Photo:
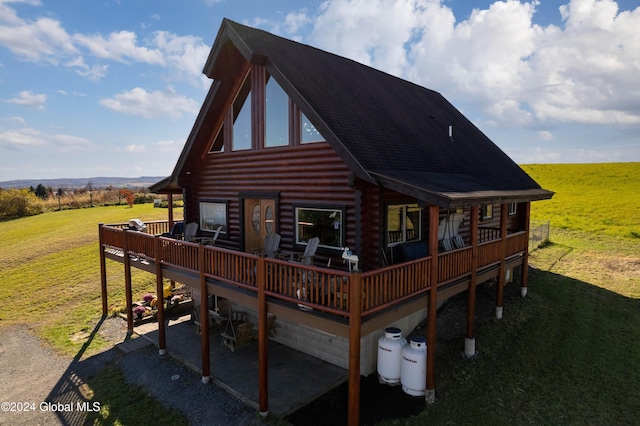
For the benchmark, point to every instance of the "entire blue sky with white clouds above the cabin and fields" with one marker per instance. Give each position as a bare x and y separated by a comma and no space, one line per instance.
112,88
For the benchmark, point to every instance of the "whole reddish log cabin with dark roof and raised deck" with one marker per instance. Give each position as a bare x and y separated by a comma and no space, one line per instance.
304,143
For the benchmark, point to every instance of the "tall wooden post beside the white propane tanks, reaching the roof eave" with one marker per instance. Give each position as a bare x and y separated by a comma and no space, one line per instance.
430,394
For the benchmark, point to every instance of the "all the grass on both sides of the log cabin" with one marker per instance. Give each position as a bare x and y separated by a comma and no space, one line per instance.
569,353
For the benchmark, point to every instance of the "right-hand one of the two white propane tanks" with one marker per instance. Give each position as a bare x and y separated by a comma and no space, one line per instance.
413,369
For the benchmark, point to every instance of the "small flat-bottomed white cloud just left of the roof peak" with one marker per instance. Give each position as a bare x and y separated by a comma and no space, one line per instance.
157,104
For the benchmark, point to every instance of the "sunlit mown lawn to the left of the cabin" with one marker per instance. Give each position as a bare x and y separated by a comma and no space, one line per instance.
50,272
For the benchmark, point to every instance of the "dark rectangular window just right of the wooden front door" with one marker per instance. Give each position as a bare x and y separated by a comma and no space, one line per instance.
324,223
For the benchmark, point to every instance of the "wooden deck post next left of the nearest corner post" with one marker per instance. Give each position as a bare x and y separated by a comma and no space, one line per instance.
263,340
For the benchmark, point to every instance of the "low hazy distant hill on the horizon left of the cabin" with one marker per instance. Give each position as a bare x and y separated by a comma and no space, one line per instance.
96,182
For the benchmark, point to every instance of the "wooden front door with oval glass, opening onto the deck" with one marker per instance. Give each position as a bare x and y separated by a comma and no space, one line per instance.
259,220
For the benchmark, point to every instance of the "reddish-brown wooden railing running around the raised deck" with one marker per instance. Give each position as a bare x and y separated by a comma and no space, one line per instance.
309,287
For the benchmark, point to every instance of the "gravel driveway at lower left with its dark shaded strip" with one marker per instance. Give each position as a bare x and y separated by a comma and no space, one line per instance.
32,378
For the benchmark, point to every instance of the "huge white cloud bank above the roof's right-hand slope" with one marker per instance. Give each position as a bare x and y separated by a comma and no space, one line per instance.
497,60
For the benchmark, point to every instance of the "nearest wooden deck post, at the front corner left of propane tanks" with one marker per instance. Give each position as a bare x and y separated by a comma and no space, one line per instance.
355,324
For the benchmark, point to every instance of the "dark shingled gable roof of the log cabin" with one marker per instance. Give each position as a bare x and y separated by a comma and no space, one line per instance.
389,131
